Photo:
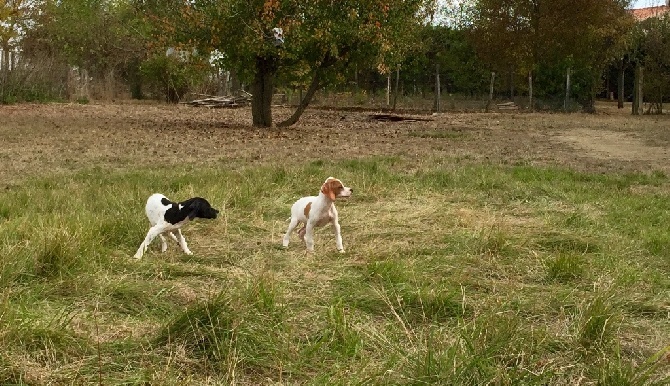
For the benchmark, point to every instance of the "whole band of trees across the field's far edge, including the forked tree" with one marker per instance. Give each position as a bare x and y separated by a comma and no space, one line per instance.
552,54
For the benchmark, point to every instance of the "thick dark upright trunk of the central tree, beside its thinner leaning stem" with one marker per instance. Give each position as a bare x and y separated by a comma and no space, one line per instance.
261,90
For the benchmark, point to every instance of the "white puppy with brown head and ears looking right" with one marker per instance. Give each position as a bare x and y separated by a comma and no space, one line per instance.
317,211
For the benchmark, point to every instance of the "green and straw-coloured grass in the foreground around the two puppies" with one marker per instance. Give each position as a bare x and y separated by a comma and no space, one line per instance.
455,273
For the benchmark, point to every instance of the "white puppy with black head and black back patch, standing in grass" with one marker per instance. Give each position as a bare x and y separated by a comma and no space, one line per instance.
167,216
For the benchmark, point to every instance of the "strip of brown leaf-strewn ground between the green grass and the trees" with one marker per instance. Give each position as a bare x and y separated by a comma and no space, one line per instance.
52,138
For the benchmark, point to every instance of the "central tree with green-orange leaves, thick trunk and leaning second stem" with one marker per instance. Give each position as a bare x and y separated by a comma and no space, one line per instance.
322,38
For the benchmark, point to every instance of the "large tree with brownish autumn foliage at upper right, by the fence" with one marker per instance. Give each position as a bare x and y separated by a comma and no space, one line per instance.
529,34
